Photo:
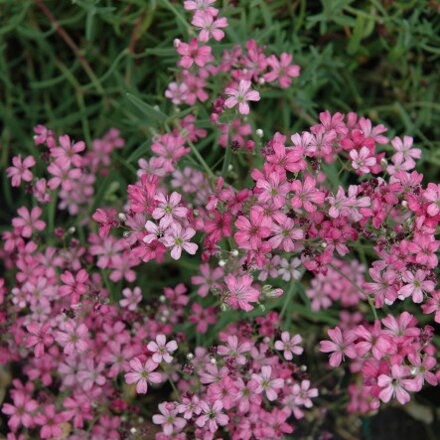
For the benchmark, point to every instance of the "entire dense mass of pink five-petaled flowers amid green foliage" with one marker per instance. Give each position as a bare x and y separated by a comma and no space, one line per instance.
89,334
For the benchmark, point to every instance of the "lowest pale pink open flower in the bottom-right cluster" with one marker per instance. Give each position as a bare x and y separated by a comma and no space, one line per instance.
397,384
